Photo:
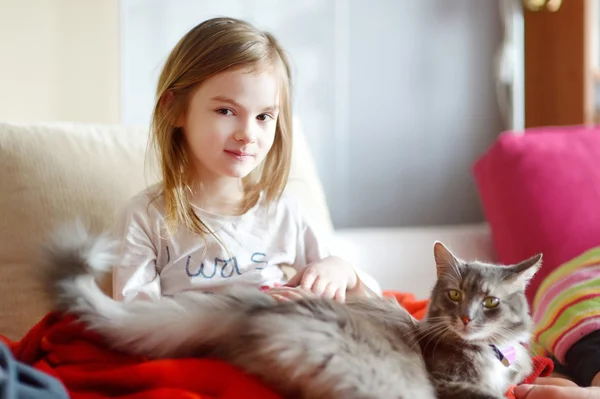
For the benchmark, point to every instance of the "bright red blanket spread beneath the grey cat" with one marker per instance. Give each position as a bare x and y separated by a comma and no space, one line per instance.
61,347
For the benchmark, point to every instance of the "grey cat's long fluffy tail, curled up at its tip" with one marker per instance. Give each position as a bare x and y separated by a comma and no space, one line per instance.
169,327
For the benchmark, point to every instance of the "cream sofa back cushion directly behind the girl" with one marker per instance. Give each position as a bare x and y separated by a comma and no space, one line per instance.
52,173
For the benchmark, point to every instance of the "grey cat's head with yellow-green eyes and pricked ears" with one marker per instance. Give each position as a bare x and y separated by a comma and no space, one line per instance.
481,302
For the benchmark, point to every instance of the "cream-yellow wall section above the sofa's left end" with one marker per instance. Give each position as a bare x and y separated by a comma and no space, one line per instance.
59,60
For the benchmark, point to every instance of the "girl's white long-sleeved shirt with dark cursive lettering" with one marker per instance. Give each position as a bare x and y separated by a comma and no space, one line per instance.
153,263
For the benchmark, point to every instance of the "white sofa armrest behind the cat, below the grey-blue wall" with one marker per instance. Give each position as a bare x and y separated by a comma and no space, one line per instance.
401,259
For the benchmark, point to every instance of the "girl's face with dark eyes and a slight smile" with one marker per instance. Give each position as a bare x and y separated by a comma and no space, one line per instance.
230,123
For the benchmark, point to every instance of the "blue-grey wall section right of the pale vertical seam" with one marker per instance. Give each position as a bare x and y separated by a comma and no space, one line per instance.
422,107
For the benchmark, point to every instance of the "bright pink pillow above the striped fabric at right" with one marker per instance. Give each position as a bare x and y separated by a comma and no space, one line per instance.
540,192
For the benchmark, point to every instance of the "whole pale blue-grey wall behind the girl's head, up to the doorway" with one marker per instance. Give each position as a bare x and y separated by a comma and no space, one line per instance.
397,97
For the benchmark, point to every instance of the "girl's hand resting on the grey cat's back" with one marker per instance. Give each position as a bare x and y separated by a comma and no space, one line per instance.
327,278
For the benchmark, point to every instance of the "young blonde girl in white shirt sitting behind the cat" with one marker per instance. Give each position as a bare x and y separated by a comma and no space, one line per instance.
222,130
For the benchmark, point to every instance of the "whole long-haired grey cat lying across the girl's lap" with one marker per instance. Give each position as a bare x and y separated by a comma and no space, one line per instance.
317,348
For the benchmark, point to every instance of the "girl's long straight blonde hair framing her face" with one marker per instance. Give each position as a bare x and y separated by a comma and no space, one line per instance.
215,46
